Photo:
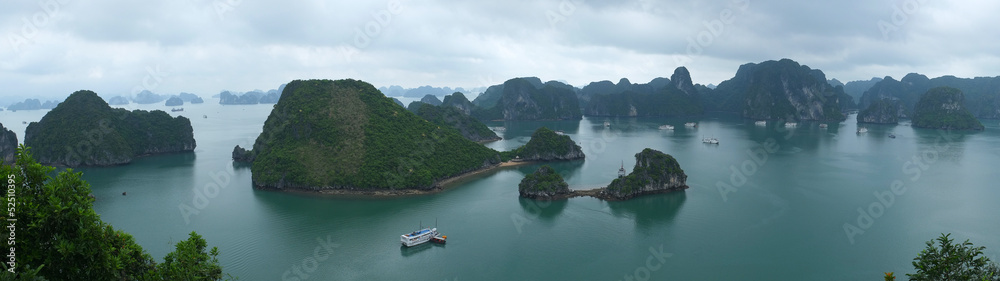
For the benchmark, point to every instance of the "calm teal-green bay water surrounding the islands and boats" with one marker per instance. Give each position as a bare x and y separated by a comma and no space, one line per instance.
781,216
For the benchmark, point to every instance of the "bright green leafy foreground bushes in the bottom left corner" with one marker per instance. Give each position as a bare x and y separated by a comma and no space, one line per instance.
61,237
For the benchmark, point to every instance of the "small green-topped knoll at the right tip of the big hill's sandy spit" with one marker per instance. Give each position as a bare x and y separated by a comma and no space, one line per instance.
545,145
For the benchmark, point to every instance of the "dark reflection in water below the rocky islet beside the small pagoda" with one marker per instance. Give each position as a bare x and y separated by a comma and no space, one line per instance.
651,210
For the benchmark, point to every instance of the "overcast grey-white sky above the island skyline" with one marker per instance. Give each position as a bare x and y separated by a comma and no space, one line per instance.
54,47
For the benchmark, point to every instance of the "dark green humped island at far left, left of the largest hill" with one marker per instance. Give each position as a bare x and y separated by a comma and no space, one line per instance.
85,131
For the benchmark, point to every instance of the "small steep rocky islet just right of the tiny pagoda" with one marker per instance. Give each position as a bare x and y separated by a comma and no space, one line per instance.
654,172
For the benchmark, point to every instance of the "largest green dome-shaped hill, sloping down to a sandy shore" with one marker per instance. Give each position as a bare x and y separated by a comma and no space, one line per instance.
345,134
